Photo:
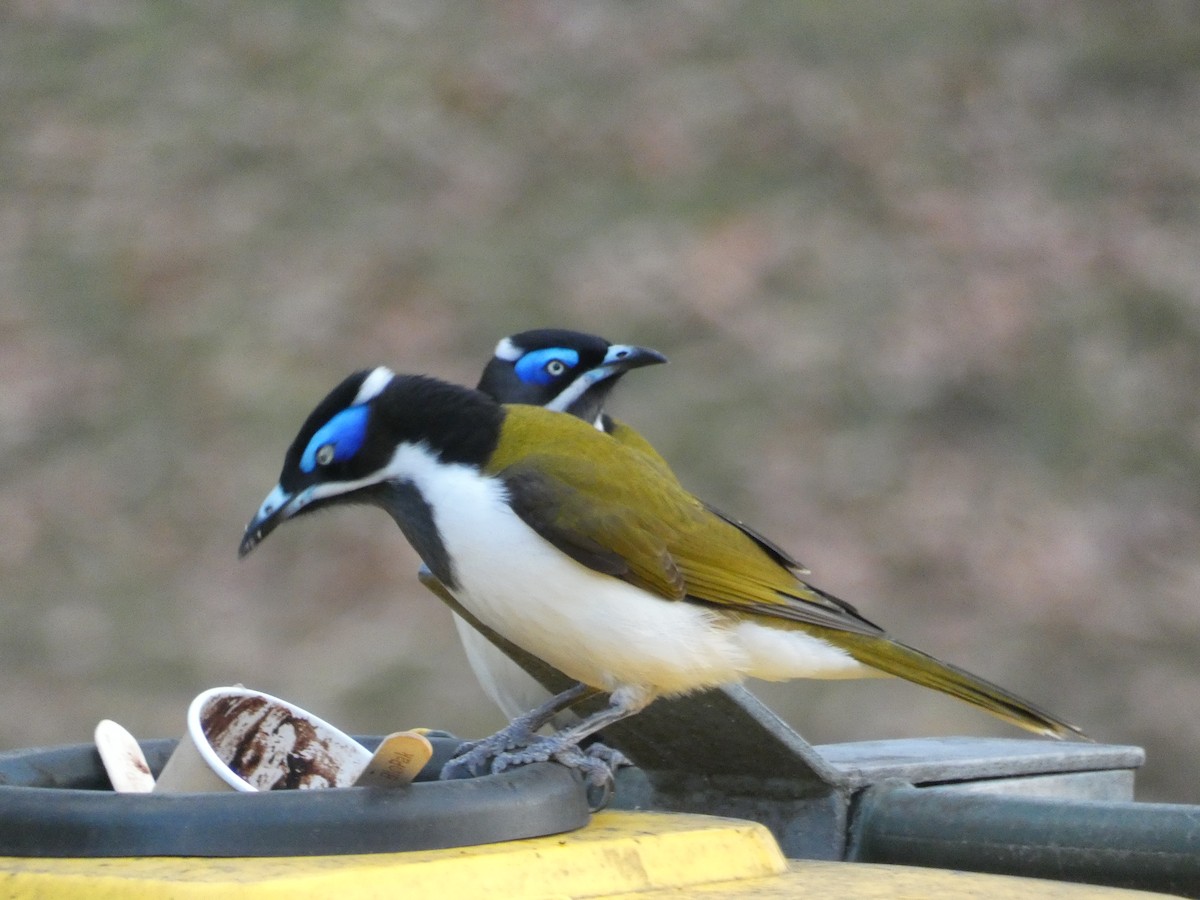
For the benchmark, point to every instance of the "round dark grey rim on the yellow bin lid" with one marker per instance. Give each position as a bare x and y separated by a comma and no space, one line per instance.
56,802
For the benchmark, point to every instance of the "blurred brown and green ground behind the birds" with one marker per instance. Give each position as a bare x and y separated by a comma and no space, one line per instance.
928,275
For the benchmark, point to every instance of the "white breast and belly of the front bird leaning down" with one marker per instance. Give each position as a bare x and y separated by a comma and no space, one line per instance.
593,628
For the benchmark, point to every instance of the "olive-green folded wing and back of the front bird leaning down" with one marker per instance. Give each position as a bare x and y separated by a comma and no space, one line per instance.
611,509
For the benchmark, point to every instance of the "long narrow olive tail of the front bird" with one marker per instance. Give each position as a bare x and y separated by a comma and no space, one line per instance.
913,665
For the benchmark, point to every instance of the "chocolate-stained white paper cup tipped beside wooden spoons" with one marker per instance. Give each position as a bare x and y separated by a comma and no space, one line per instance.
241,740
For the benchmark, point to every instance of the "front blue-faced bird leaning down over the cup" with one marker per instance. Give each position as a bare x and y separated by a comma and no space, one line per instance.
585,554
